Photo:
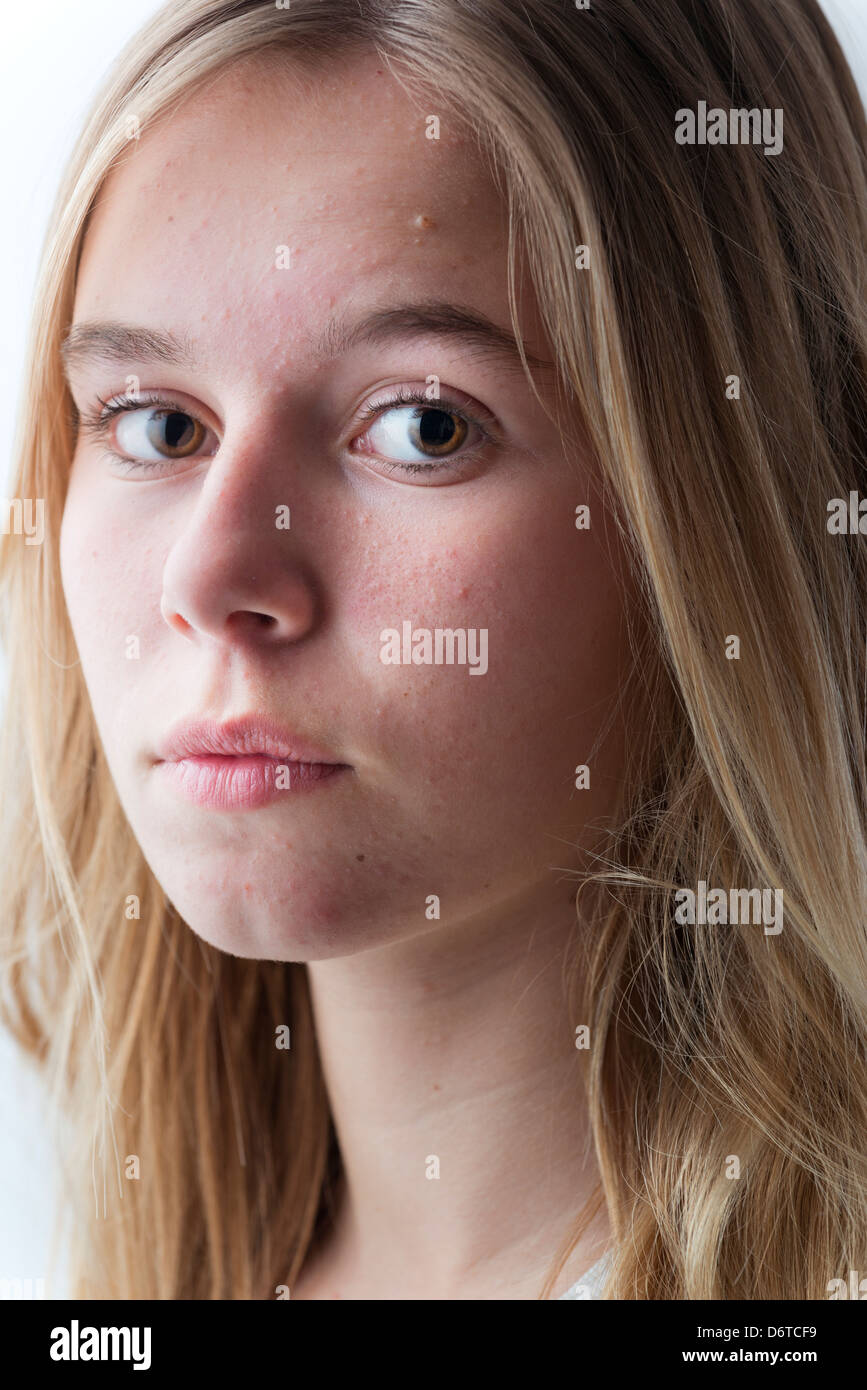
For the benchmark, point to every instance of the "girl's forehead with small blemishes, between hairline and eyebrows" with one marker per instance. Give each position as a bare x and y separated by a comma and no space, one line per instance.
277,195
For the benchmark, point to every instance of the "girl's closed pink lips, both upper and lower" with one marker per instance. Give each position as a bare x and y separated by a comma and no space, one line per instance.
241,765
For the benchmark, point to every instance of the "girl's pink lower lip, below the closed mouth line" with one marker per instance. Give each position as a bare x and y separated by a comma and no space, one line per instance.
247,782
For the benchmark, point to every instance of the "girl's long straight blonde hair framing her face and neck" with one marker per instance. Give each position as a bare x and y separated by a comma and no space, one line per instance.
707,1046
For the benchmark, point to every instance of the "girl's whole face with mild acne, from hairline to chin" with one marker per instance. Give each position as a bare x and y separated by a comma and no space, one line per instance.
273,268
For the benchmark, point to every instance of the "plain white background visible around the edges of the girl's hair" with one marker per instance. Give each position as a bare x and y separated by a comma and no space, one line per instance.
55,56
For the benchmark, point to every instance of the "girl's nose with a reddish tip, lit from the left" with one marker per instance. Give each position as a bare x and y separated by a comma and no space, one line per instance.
236,572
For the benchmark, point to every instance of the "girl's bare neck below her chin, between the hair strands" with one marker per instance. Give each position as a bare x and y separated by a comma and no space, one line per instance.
458,1099
